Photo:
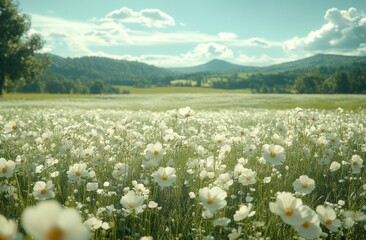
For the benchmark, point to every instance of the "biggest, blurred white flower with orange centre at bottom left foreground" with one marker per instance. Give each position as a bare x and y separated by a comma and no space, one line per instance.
48,220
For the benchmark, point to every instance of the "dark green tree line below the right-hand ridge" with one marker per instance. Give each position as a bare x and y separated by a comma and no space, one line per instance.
324,80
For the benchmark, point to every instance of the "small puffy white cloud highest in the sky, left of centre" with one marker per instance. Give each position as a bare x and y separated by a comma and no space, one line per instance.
146,17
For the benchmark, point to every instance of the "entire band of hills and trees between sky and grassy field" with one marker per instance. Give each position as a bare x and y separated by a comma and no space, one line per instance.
322,73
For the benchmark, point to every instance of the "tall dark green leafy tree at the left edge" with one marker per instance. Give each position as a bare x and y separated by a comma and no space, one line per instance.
19,62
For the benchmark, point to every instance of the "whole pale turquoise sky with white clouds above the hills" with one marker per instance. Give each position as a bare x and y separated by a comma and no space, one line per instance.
171,33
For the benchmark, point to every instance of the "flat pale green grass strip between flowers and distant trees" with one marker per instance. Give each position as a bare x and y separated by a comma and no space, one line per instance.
162,99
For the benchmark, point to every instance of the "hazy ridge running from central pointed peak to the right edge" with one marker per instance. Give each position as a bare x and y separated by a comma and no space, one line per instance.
316,61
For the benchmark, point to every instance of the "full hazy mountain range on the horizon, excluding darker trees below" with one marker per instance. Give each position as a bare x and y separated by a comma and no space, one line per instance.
122,72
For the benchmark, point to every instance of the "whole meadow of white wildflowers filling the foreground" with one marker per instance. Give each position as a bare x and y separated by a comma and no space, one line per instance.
93,173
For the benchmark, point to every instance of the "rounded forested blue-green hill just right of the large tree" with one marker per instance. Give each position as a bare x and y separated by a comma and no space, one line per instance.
110,71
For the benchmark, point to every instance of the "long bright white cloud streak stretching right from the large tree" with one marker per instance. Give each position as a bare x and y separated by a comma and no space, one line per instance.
67,36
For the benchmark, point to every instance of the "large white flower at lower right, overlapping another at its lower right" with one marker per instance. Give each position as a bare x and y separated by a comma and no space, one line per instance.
289,208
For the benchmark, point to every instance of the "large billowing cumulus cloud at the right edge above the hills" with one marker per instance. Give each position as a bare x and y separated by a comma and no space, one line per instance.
344,31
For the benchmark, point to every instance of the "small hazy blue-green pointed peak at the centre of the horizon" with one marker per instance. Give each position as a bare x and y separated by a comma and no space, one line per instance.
215,66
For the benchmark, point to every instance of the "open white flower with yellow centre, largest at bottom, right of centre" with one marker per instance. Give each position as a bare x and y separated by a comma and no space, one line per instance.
213,199
